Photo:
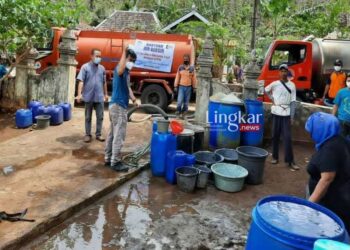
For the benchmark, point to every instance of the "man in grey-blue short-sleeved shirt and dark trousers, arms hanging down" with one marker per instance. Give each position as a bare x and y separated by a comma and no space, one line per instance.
92,89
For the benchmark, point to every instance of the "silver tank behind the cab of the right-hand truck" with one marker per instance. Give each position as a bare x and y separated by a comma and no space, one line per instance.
324,53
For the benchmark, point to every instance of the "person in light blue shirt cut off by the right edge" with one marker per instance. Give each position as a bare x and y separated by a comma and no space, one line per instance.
341,107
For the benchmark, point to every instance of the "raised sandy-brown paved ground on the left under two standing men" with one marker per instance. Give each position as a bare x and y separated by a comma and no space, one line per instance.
55,171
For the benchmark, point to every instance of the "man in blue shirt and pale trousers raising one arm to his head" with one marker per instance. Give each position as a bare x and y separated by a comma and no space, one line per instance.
118,110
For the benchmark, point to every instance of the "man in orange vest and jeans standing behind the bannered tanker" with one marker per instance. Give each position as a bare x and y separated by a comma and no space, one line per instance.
184,82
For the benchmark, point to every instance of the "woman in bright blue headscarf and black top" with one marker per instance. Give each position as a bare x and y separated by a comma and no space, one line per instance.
329,167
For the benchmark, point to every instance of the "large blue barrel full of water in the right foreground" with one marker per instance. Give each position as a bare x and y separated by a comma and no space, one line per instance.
288,223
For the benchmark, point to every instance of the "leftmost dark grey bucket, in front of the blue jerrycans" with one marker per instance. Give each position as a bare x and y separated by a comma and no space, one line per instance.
186,178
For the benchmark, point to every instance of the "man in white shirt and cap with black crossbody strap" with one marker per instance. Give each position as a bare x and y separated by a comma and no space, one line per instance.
283,96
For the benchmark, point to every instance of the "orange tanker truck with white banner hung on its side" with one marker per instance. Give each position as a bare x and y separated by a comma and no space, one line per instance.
154,85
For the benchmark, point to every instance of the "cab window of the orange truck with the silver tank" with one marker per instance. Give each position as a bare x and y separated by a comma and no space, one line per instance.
289,54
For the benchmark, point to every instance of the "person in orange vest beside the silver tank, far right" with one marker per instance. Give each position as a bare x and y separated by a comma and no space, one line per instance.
335,83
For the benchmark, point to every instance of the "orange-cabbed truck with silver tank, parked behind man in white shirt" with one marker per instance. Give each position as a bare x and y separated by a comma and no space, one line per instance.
310,62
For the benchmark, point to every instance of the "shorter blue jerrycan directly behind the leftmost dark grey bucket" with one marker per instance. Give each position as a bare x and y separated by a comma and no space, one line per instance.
174,160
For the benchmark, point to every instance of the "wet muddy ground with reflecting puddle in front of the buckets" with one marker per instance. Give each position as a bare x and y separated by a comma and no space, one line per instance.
148,213
